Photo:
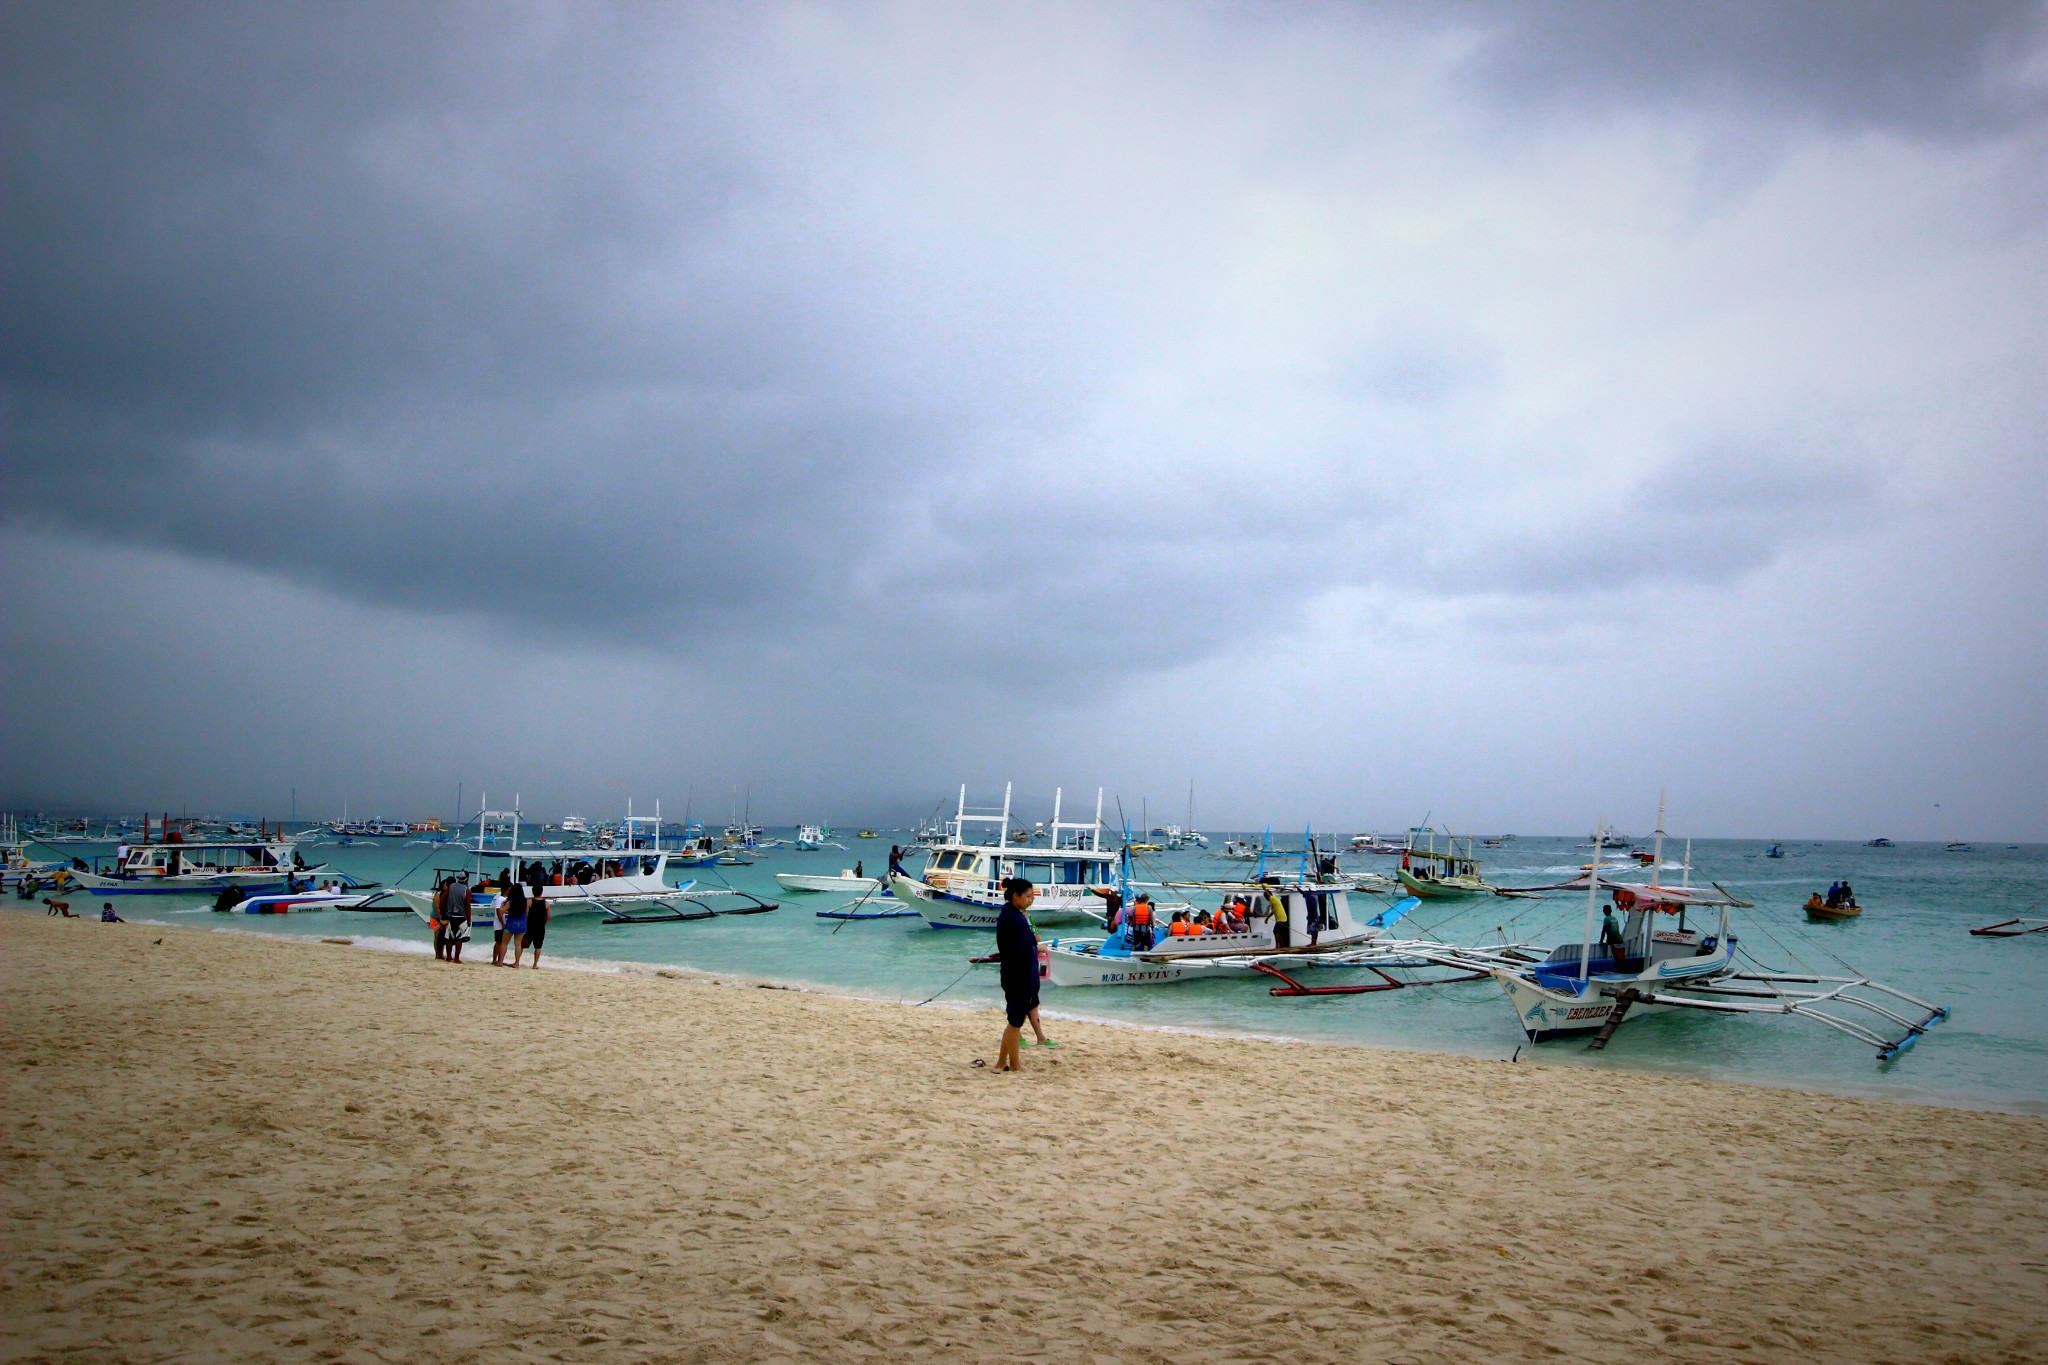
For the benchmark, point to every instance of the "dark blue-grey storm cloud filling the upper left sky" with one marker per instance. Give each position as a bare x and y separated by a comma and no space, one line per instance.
361,296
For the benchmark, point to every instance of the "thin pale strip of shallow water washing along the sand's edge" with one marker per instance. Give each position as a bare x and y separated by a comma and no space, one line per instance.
628,967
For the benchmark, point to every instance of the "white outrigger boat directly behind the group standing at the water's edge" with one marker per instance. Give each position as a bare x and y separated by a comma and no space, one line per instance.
620,883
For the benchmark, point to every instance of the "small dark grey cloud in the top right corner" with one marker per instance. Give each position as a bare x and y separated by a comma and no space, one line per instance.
1906,67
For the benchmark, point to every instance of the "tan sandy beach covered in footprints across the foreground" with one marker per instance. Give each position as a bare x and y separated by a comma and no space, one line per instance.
222,1147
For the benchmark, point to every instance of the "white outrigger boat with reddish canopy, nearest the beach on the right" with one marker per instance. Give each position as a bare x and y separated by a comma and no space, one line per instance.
1652,965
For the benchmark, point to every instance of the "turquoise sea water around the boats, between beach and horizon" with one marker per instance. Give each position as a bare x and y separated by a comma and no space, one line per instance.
1920,904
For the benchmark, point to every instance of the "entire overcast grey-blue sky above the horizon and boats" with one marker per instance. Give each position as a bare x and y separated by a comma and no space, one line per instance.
1494,412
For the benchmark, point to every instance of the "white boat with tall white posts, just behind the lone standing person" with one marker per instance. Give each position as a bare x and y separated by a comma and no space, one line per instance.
962,879
